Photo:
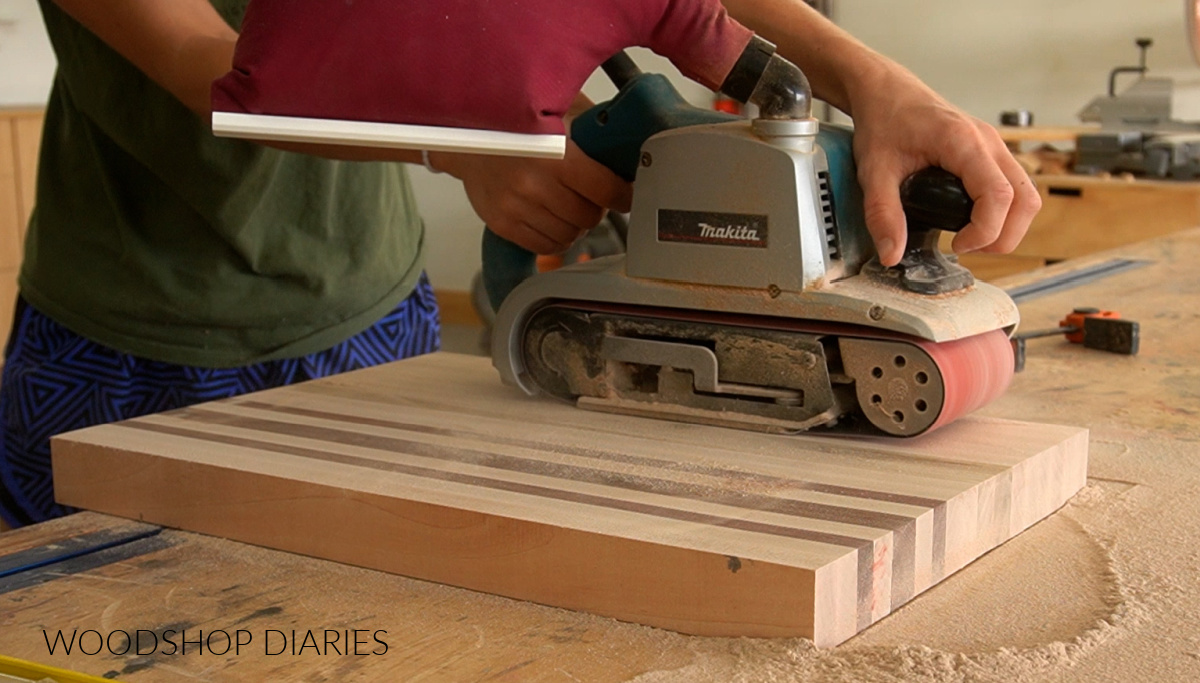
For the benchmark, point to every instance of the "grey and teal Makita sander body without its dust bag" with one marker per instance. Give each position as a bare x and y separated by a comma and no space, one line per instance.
752,295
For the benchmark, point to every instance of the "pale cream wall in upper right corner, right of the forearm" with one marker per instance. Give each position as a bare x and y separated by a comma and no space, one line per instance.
1051,58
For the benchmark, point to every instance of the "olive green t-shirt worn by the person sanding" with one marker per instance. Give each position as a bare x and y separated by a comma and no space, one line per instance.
155,238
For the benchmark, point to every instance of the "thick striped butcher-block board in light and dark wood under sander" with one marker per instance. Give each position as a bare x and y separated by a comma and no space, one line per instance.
431,469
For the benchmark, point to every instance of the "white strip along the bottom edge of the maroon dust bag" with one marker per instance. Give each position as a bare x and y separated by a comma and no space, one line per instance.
395,136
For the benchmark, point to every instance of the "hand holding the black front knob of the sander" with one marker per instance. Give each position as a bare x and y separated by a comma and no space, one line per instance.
902,127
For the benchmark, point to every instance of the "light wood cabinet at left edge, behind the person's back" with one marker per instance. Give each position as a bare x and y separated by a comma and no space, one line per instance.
21,134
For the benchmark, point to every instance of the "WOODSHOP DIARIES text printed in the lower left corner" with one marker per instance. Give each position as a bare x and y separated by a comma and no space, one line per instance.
218,642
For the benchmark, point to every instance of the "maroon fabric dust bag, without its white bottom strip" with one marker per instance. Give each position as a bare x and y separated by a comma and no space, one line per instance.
506,65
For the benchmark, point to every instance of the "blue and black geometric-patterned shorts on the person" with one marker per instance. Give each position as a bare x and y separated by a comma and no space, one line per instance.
55,381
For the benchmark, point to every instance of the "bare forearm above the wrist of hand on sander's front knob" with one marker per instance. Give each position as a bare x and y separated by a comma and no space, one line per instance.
835,62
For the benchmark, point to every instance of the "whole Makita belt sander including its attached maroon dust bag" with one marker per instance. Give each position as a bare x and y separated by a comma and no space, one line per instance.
751,295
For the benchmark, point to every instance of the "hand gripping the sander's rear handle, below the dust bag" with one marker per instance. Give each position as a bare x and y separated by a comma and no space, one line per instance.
541,205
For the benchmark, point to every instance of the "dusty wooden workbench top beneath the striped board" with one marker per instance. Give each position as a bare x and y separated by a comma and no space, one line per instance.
1125,549
